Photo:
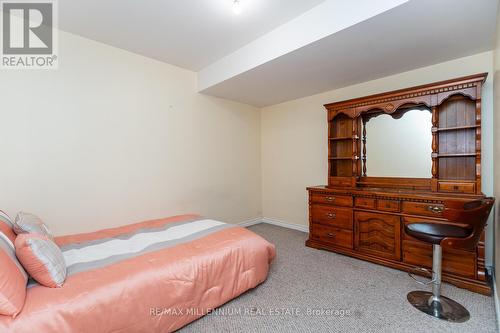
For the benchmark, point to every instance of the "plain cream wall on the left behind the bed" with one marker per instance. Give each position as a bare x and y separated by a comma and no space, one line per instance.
112,138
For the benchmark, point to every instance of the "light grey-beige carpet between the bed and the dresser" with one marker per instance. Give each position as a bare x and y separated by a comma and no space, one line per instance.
304,279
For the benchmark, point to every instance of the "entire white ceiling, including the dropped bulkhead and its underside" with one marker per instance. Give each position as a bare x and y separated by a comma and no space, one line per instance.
279,50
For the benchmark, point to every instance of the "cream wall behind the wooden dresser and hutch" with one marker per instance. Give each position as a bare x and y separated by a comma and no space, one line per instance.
294,137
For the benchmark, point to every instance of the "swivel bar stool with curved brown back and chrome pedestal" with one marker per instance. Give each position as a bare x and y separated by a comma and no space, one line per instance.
468,220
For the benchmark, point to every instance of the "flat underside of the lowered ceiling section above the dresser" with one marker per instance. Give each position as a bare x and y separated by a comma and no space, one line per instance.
406,37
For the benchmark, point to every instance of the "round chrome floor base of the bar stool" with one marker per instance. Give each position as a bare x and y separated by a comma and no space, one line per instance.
445,308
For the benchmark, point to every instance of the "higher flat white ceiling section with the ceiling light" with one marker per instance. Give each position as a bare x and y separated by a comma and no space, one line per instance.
187,33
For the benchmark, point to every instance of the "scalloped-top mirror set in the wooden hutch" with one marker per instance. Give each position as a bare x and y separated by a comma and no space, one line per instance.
398,145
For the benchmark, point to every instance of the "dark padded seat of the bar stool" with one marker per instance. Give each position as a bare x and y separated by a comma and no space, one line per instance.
434,233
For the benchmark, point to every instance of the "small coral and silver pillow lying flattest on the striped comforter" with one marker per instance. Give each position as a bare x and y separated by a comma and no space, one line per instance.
42,259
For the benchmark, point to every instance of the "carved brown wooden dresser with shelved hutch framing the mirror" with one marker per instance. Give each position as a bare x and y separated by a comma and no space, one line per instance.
364,217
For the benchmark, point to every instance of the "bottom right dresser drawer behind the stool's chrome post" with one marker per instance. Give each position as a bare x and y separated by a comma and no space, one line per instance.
454,261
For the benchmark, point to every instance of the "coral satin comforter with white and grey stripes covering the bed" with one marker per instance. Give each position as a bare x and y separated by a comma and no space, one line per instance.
154,276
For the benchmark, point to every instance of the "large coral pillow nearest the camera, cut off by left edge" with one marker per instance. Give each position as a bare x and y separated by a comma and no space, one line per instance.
13,279
